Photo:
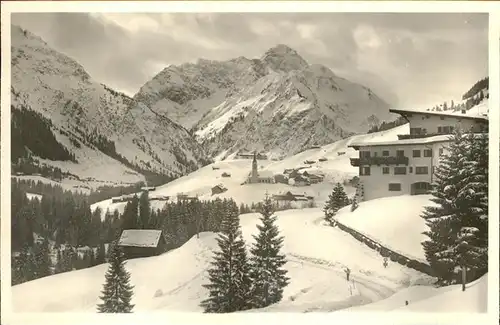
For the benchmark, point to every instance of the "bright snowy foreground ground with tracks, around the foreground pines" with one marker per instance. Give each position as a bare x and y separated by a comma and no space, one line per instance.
317,256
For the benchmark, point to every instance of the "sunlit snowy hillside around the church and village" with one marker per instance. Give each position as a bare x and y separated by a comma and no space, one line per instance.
337,168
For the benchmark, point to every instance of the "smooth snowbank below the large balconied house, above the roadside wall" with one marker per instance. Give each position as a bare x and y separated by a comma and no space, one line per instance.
394,222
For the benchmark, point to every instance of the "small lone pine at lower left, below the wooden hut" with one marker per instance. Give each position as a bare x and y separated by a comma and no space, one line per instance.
117,291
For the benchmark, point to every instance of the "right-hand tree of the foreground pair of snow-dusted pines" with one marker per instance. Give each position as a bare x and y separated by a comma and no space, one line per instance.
268,277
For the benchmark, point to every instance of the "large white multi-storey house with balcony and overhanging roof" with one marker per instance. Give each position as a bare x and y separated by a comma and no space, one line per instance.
407,165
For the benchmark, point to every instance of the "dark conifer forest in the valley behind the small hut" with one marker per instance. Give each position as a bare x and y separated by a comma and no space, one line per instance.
60,233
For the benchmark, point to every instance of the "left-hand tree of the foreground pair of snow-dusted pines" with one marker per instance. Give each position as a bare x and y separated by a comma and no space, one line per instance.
230,284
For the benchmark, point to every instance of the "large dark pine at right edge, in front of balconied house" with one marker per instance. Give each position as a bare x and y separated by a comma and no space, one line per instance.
458,225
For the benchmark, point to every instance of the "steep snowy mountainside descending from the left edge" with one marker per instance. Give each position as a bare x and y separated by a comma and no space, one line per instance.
83,112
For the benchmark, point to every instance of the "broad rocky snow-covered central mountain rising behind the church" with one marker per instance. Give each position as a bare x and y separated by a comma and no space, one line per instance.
278,104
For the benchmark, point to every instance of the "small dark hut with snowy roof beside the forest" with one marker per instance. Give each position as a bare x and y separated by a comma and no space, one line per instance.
142,243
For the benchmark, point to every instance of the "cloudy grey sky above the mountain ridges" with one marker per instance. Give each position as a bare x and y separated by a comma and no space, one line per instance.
411,60
